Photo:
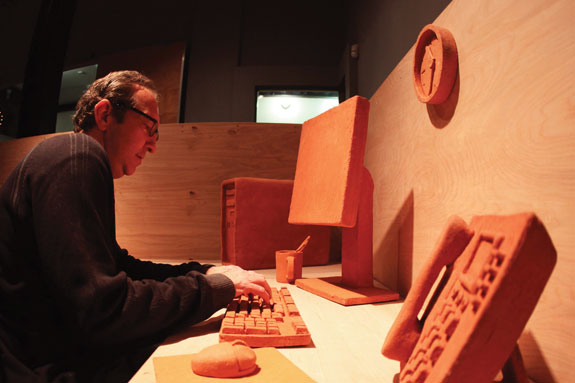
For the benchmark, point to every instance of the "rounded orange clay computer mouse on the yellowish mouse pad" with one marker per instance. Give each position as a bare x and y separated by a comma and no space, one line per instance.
225,360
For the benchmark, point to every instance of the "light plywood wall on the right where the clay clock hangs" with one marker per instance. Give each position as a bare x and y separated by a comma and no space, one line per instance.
506,145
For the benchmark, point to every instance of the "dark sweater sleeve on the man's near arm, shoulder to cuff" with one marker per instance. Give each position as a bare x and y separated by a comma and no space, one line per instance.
73,203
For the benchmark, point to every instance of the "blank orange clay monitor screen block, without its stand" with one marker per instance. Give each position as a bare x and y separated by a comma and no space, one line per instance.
328,171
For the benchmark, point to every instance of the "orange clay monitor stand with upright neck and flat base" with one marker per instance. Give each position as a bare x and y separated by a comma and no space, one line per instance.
355,285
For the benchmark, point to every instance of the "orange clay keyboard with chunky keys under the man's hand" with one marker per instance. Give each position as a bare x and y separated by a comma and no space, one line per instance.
263,325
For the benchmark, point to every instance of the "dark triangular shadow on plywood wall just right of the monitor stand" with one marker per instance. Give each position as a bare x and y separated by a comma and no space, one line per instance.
393,258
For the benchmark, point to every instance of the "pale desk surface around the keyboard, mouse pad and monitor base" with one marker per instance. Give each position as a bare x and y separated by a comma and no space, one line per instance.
346,341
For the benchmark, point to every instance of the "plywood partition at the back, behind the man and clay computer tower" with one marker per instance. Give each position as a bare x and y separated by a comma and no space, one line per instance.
170,208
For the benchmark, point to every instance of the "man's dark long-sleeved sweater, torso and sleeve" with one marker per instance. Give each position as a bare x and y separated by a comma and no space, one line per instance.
70,297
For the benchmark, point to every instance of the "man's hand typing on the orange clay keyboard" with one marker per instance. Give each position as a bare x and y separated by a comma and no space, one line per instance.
245,282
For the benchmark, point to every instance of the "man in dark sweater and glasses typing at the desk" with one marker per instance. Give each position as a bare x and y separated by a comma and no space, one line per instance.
74,306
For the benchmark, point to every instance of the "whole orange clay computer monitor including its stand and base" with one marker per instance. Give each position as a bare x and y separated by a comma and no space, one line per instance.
333,188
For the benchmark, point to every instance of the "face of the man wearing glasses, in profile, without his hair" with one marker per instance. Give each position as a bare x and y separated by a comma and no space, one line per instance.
128,142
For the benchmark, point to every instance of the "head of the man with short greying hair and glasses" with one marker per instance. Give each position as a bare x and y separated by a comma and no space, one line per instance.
120,111
